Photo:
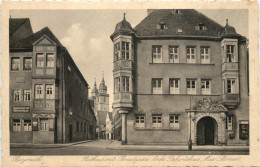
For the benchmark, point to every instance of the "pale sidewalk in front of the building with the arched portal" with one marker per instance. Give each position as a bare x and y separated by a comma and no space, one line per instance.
116,145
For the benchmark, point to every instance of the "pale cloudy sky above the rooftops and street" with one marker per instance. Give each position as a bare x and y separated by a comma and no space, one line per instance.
86,34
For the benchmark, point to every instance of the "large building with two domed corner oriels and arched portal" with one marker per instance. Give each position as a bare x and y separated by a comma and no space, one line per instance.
180,76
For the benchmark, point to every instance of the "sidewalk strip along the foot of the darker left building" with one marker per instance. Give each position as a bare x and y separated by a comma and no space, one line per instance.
30,145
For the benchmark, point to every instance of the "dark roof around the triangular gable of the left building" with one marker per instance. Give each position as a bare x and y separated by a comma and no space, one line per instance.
28,42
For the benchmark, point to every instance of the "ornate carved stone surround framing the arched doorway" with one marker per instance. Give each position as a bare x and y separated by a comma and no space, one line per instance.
209,108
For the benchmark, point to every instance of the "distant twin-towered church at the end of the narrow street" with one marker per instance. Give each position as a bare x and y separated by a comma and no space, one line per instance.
101,107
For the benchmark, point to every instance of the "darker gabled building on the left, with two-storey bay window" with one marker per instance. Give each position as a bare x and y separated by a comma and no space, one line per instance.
48,94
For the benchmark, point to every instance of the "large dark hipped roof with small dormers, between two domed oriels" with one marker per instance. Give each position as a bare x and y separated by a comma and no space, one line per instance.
186,20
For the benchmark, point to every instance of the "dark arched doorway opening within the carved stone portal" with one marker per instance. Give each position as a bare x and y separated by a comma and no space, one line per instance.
207,131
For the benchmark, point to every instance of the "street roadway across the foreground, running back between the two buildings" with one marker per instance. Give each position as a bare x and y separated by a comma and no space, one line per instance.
100,148
